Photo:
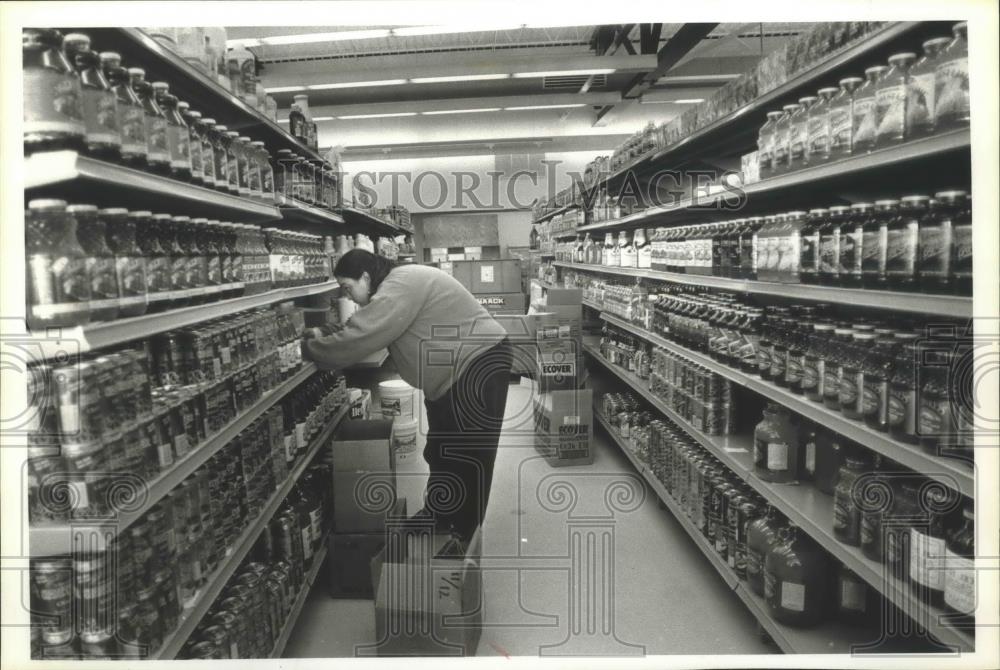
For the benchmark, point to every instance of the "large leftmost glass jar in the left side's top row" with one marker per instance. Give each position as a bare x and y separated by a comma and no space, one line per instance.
53,105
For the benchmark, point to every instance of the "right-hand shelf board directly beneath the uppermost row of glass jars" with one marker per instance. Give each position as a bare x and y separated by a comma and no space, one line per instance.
782,186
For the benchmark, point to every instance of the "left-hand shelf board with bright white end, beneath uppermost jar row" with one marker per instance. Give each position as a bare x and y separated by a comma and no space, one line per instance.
116,185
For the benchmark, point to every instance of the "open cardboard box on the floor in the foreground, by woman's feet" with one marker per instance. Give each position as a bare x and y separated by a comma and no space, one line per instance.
430,604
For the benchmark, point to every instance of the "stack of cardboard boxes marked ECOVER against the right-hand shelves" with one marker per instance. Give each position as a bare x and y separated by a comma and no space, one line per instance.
563,409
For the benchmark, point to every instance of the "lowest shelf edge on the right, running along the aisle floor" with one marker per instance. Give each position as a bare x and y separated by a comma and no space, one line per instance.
831,637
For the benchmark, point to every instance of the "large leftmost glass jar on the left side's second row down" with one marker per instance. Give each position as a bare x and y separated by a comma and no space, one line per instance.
58,285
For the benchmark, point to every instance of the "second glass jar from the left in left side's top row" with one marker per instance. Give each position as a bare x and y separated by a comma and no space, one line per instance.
102,138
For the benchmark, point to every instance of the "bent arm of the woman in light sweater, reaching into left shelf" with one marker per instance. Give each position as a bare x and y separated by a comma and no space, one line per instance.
373,327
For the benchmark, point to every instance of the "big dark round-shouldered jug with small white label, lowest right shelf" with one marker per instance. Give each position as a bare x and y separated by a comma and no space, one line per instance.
796,579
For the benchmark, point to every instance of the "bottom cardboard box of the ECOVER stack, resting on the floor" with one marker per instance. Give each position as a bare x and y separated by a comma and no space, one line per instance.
564,423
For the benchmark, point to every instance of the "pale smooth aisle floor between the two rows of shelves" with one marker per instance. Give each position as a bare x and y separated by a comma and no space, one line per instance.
666,598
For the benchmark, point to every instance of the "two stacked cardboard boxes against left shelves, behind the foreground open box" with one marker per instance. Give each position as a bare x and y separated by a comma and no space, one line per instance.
364,497
